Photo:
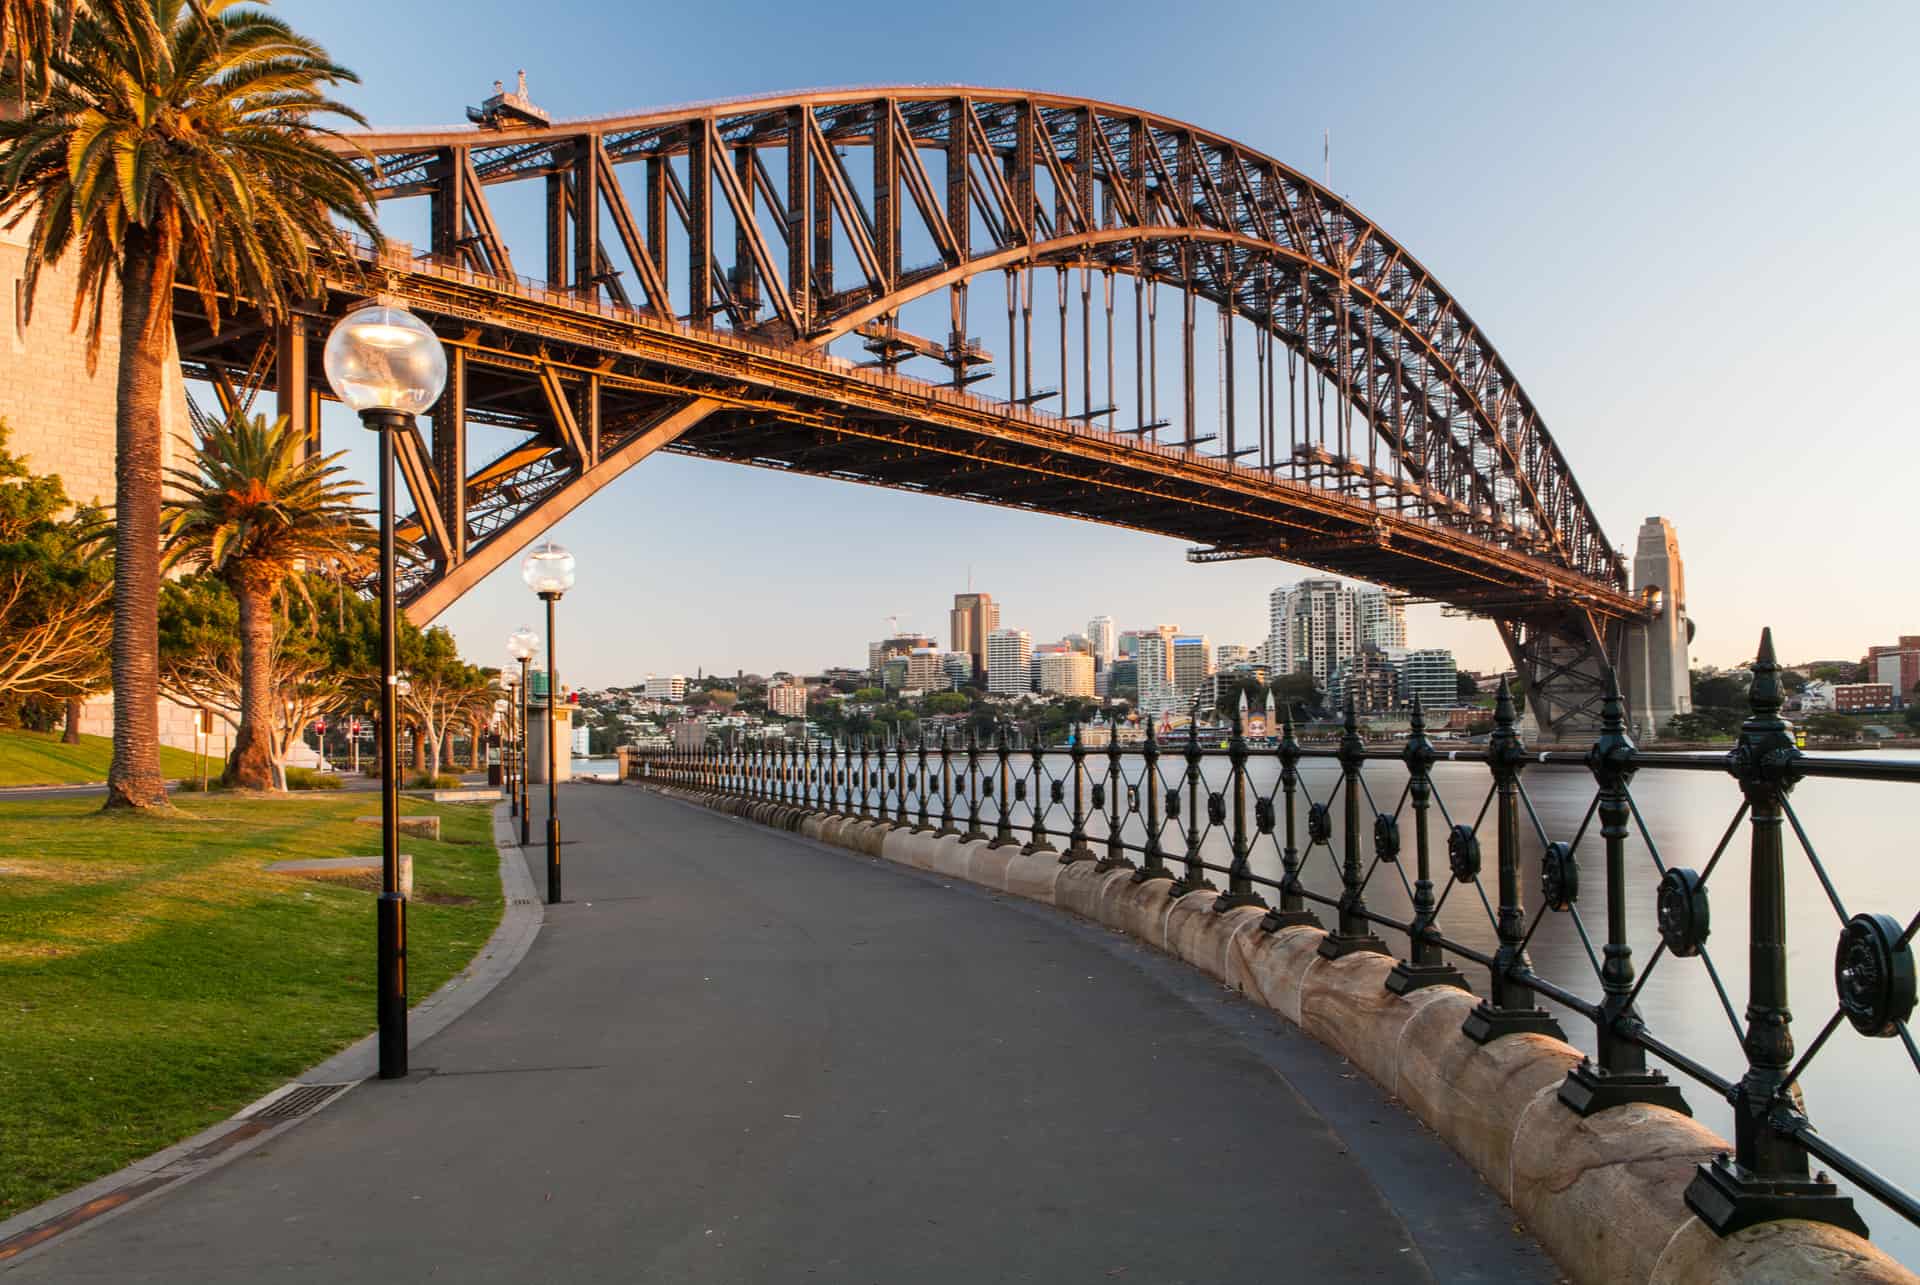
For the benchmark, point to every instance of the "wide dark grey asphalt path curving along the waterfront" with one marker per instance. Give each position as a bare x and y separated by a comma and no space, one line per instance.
736,1055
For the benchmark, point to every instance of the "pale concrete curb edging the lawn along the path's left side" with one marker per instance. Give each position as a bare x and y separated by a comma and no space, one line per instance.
107,1198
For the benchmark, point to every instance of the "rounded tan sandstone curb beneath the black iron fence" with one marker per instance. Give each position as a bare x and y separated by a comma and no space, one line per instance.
1604,1194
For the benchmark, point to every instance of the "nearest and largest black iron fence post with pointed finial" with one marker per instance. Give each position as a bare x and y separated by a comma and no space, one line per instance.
1767,1175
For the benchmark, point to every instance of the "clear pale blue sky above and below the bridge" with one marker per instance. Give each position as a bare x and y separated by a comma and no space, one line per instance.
1689,230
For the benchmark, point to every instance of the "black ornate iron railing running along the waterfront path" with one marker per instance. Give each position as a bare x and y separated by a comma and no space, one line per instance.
1255,827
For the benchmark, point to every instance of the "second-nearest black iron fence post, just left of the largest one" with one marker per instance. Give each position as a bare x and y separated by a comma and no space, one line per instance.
1621,1073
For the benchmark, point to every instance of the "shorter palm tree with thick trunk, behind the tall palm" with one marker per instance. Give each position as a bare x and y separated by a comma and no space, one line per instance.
256,512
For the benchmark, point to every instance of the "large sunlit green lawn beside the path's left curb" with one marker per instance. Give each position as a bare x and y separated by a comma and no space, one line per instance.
155,977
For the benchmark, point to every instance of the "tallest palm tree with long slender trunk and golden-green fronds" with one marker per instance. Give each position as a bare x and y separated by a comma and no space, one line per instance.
176,141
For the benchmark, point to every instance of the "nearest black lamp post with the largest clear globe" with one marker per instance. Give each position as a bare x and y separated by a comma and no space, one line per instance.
389,366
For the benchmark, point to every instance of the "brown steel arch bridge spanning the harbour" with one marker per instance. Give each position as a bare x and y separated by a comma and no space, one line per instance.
700,262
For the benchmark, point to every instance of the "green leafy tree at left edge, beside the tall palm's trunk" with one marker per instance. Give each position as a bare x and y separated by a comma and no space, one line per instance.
55,591
